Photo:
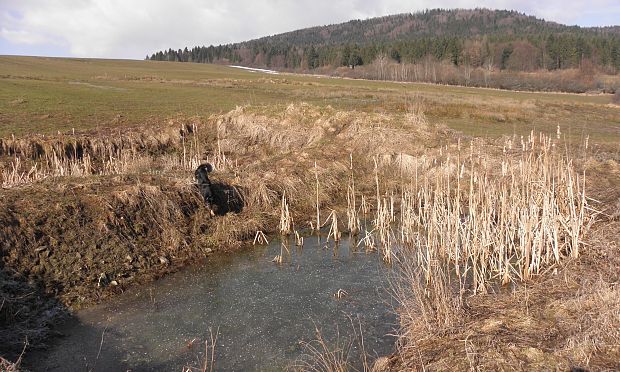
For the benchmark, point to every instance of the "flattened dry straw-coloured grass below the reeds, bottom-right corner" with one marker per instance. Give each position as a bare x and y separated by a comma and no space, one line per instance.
567,319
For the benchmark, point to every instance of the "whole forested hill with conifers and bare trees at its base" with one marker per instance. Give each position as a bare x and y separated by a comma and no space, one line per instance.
451,46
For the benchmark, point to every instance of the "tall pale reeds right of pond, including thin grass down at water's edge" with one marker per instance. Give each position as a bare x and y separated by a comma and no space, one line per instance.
473,222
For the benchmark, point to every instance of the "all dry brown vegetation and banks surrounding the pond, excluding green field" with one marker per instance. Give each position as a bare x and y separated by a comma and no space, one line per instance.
476,227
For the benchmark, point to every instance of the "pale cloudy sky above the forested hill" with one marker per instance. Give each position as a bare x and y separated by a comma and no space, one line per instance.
134,28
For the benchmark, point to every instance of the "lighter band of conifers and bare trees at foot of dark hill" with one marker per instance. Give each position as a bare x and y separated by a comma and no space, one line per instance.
518,54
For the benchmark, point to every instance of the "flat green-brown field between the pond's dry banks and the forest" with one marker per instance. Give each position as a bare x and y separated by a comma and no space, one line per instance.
45,95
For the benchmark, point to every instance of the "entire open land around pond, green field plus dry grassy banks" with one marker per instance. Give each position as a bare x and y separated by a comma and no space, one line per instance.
498,210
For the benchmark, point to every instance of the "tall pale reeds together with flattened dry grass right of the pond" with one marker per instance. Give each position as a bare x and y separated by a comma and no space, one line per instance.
459,245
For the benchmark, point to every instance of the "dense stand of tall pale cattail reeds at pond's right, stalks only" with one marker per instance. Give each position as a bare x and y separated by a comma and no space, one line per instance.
505,219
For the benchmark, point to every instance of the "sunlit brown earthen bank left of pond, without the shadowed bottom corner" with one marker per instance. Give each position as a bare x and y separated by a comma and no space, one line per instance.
83,240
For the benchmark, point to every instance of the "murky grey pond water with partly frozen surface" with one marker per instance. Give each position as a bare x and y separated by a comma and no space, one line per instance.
259,310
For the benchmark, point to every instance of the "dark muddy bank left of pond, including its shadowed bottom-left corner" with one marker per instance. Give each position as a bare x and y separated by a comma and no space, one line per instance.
65,245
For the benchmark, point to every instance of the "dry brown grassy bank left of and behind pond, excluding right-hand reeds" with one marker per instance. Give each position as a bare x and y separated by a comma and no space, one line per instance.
86,215
